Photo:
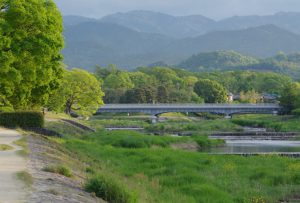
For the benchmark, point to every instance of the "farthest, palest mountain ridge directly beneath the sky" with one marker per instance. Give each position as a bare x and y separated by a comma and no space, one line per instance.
190,26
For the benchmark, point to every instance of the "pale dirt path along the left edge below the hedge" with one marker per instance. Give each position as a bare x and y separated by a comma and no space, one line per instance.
11,189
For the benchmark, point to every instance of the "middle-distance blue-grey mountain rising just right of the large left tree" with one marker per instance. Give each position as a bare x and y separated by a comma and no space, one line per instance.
91,43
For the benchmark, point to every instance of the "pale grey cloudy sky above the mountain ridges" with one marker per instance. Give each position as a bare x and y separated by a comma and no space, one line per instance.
216,9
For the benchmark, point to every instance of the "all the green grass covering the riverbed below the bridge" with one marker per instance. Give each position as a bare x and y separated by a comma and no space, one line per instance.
126,166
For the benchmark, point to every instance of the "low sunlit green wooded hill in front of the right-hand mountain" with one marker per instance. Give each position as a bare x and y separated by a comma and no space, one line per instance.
230,60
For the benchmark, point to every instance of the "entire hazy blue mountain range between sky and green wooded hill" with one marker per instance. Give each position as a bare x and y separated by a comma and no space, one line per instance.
139,38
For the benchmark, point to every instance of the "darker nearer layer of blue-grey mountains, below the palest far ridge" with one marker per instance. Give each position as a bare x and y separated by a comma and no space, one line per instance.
91,43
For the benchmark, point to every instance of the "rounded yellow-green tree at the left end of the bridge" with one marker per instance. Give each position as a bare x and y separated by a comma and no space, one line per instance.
80,92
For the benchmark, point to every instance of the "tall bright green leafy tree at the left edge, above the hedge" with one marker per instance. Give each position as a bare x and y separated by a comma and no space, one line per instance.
30,44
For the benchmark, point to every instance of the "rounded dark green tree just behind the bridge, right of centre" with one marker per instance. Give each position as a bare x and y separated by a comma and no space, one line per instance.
211,91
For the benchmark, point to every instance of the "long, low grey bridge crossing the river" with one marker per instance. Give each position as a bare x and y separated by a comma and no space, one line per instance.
226,109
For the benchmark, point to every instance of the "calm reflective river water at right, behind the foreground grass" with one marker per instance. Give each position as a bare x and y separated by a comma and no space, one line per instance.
257,146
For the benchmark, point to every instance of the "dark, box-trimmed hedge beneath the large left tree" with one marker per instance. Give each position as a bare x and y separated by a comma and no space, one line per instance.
22,119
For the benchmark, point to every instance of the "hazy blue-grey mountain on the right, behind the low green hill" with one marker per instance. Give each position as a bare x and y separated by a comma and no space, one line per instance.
262,41
